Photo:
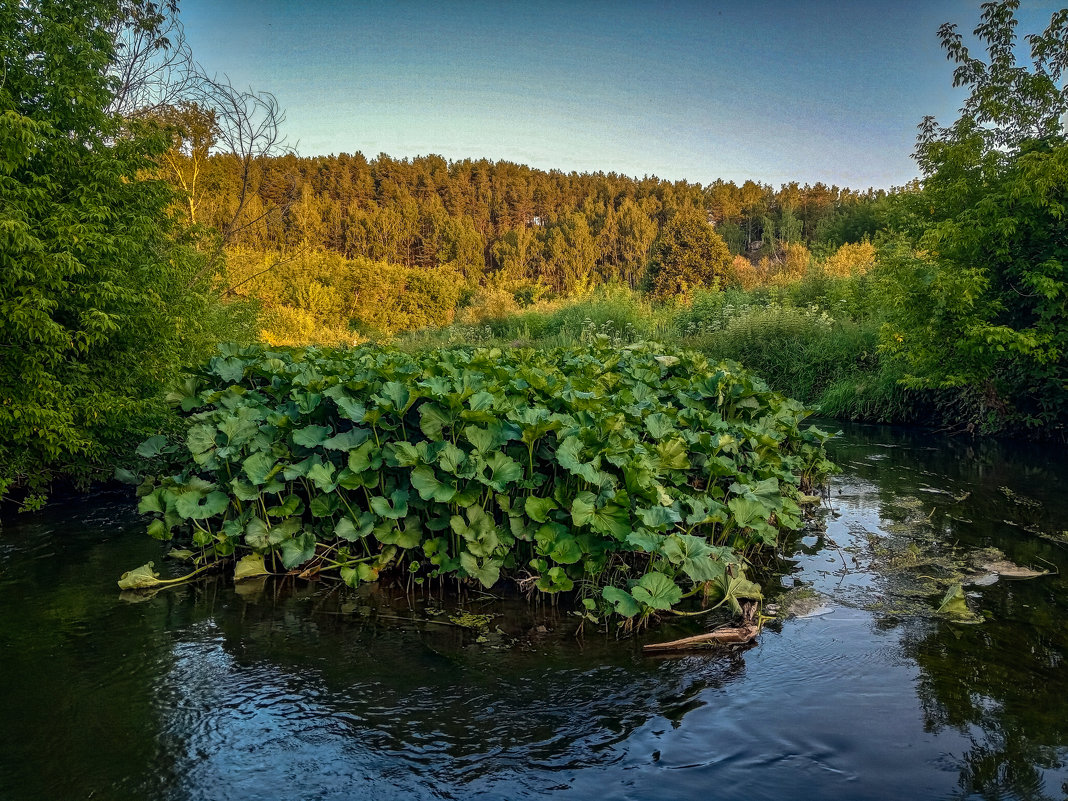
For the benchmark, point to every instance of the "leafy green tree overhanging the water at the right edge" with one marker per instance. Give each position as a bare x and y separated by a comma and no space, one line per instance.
982,280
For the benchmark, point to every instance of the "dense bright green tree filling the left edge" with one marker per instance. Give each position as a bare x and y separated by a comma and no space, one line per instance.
99,302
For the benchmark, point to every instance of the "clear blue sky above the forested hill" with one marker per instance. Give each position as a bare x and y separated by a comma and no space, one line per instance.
774,91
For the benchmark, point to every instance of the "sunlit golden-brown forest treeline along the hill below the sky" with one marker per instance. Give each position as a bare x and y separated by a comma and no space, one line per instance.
496,222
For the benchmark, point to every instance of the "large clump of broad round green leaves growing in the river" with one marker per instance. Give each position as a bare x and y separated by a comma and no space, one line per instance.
633,476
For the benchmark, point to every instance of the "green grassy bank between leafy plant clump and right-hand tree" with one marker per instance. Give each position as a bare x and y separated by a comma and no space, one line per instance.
807,342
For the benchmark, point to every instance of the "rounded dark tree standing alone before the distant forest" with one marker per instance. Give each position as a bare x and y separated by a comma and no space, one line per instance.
688,256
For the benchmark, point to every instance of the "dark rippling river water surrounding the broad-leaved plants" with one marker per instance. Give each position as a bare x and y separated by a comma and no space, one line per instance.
281,693
